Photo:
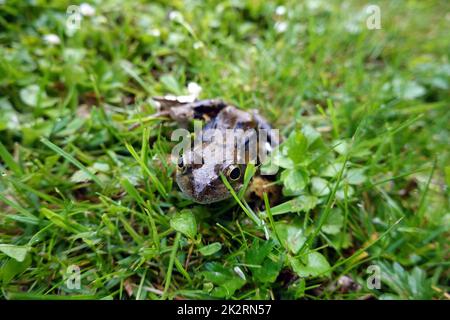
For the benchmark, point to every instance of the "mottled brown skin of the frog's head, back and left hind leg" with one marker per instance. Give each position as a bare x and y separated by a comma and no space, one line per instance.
202,182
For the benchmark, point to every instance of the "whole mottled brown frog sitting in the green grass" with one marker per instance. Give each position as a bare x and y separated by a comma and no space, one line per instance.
201,181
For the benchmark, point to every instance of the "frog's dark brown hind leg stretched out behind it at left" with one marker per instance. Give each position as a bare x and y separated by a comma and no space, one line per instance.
184,112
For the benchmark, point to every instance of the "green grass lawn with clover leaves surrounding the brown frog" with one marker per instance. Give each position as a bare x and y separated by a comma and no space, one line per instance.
365,168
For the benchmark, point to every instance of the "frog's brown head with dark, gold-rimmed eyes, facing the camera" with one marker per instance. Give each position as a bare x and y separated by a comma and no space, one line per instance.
202,182
